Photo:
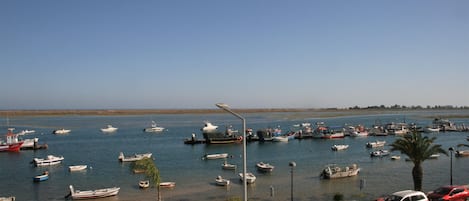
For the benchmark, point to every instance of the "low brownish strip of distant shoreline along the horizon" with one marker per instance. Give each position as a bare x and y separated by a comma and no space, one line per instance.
302,112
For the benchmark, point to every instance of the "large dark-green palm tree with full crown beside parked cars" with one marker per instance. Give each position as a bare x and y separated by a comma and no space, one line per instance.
418,149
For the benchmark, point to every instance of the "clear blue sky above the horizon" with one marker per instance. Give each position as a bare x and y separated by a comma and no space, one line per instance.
249,53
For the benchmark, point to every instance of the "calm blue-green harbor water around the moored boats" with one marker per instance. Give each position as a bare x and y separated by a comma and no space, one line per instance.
194,177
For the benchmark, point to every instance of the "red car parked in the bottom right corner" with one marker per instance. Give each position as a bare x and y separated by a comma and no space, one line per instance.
449,193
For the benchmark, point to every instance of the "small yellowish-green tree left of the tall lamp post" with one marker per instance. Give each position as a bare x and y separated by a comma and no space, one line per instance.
151,172
